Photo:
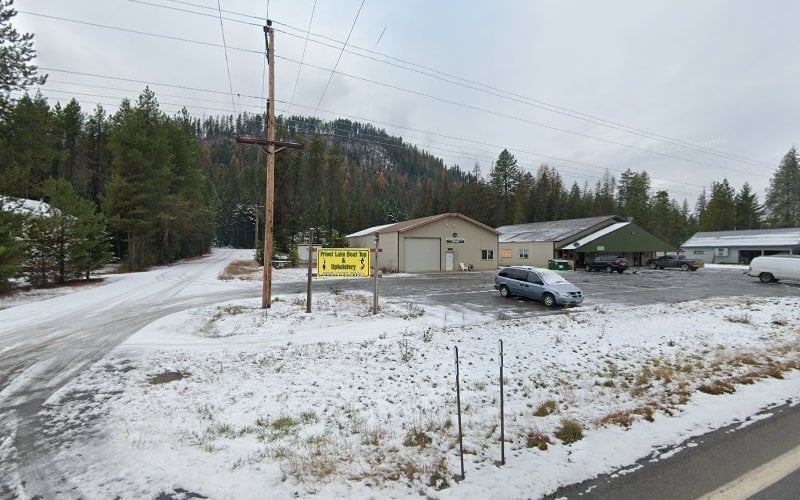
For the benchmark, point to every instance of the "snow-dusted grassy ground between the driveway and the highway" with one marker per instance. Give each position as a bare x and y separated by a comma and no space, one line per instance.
231,401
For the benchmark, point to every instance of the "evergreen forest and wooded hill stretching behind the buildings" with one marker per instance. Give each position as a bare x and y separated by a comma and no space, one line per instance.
168,187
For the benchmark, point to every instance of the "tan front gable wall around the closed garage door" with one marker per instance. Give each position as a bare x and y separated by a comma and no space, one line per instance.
475,240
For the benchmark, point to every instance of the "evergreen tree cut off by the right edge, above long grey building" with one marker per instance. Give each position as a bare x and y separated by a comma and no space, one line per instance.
783,195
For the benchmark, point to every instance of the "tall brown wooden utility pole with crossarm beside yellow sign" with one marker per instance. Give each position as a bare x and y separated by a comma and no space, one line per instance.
270,143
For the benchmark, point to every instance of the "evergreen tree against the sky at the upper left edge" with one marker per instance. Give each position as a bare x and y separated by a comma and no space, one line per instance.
16,54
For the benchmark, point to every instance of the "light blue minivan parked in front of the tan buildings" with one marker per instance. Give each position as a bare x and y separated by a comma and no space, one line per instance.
538,284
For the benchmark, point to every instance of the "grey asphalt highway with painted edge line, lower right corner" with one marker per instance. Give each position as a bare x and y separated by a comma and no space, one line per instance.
716,460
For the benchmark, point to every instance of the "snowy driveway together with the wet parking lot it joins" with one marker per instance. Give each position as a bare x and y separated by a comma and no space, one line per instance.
44,346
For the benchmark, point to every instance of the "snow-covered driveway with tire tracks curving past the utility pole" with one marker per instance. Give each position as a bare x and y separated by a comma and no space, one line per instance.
45,345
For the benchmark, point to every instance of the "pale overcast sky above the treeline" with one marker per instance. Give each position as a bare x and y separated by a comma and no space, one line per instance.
710,87
